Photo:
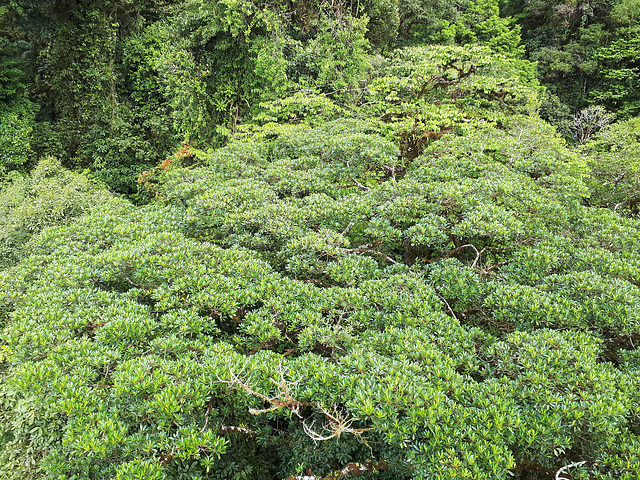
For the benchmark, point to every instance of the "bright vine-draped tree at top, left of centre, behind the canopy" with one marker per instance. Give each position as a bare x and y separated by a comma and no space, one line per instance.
203,47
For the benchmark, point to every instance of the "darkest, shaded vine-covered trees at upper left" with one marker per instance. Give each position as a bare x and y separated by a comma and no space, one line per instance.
86,118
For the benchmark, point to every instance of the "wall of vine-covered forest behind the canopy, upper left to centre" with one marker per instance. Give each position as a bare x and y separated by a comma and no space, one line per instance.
120,85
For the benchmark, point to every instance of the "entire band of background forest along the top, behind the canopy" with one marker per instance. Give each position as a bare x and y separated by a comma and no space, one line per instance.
114,85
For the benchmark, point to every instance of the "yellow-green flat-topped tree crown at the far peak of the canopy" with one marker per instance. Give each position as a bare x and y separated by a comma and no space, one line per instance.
424,93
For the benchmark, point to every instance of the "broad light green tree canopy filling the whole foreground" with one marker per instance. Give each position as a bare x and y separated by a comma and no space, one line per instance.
309,297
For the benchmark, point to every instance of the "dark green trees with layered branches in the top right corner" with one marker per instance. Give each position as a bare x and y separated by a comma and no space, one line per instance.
586,51
